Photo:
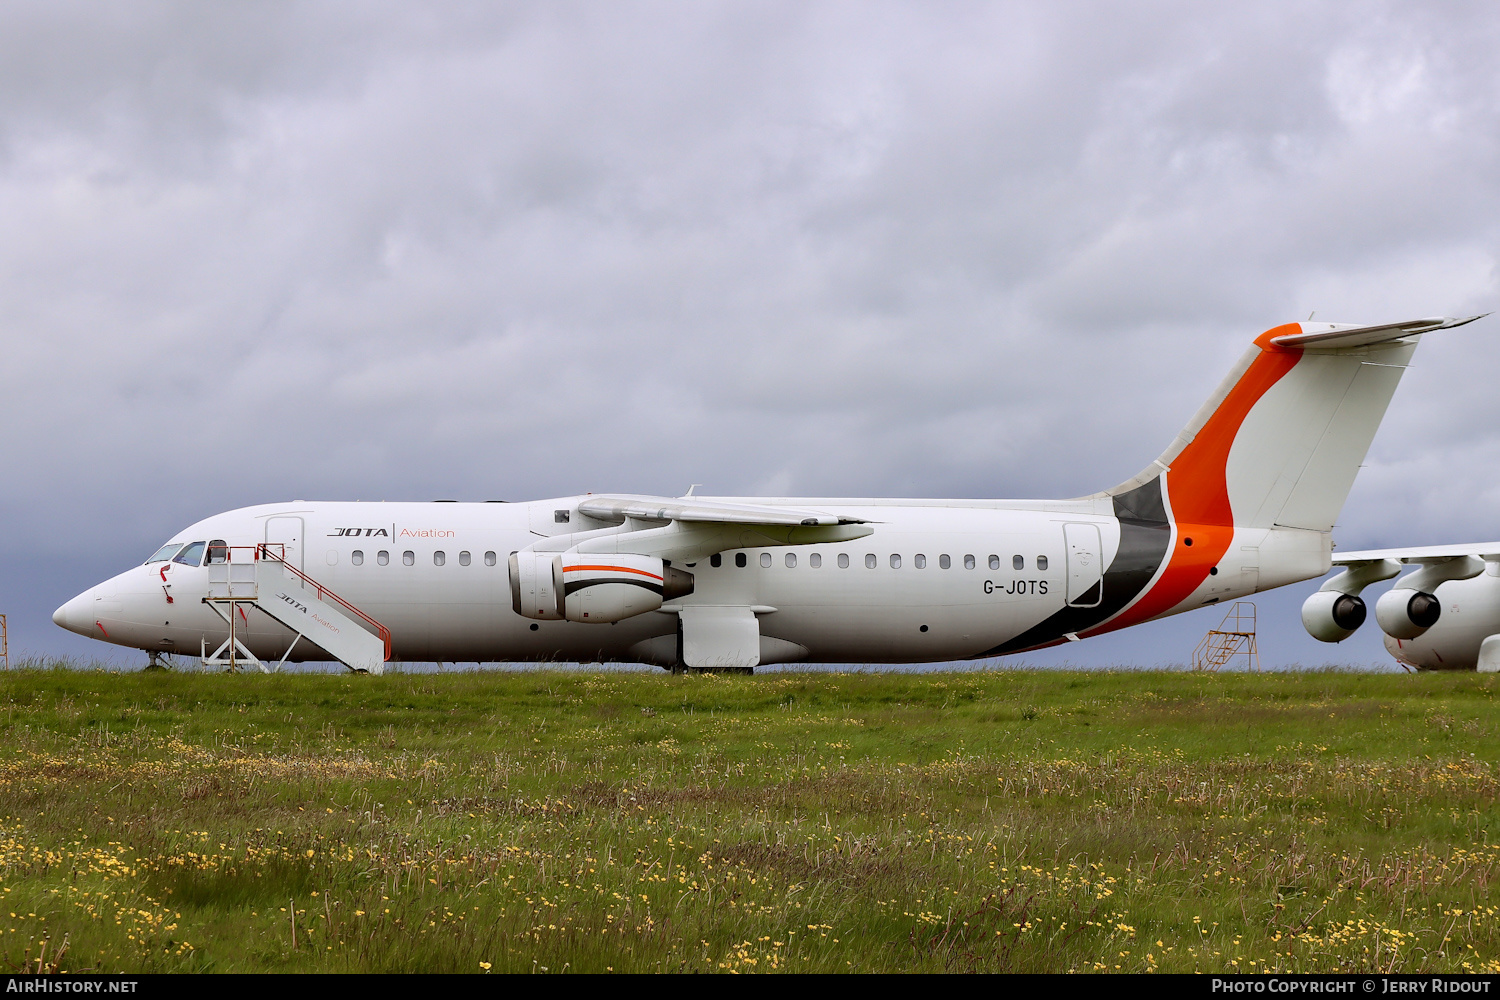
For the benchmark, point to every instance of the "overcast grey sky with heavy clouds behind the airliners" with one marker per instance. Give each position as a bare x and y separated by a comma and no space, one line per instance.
271,251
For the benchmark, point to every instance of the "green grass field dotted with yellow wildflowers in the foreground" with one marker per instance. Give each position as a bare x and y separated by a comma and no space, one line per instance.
872,822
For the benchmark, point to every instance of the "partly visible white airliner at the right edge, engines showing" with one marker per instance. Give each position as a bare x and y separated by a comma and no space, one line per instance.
1442,617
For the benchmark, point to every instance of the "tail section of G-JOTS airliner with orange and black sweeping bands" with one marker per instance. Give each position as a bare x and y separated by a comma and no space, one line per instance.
1247,496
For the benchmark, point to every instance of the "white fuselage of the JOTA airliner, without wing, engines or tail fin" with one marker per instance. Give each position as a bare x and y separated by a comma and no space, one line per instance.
934,581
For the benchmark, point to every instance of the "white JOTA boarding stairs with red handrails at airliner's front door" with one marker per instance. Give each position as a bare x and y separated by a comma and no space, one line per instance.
262,578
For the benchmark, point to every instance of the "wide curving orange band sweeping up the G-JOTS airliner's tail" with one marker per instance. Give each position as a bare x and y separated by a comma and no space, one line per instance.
1198,488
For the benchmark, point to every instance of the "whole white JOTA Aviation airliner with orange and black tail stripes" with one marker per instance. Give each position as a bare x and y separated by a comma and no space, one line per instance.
1243,501
